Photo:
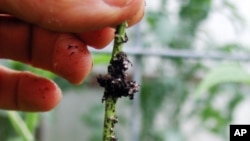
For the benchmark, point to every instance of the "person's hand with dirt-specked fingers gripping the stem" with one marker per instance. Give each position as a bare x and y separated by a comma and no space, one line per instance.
54,35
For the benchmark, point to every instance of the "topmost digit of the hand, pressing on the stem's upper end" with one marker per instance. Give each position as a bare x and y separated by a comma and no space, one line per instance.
75,16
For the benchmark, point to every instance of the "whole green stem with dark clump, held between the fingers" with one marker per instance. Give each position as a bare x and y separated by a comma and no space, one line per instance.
115,82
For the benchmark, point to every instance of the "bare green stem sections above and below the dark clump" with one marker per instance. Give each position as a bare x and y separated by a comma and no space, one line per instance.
110,102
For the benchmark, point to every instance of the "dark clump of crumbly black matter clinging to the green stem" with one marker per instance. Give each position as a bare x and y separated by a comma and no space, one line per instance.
115,82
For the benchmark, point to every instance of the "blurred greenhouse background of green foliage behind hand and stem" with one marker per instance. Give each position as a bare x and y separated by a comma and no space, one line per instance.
191,59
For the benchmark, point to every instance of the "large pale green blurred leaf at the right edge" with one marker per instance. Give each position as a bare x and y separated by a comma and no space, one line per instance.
222,74
